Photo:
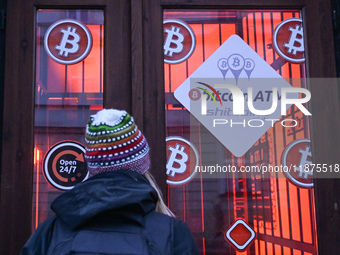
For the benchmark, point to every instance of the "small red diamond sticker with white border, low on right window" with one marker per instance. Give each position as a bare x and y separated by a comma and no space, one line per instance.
240,235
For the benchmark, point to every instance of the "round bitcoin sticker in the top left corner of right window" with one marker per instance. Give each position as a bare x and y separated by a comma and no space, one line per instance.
179,41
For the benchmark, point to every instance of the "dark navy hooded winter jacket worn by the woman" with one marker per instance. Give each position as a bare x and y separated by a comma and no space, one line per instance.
103,202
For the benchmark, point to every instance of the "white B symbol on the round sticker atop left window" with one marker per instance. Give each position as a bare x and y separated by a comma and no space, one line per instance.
70,32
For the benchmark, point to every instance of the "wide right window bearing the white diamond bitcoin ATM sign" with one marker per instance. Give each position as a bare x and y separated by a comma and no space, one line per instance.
237,212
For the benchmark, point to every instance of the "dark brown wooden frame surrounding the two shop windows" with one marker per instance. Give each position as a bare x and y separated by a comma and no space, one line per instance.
136,75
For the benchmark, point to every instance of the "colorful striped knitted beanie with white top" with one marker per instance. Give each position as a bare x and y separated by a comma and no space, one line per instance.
114,142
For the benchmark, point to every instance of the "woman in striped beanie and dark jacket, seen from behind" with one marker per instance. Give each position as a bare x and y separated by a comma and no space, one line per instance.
119,210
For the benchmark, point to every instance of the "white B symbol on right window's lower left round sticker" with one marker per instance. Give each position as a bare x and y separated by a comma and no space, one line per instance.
181,160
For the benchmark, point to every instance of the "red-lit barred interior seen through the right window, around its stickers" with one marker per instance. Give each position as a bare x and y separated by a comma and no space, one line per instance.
281,213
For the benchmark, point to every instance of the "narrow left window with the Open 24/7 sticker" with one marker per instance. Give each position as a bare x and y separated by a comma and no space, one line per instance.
68,89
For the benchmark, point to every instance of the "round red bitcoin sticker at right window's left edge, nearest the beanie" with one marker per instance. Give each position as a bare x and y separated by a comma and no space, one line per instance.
182,159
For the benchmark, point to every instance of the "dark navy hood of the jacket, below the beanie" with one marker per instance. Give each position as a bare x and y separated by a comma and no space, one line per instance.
122,193
